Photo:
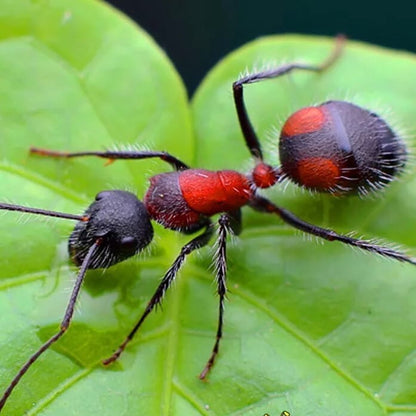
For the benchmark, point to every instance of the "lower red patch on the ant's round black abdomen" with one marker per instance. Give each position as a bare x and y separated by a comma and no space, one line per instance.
318,173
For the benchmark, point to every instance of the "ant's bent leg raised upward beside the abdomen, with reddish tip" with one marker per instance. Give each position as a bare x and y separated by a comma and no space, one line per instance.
247,128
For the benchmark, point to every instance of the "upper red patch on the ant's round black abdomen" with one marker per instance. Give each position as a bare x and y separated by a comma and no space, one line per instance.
306,120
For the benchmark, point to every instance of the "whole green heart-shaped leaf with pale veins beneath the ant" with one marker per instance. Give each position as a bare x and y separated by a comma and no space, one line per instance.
314,329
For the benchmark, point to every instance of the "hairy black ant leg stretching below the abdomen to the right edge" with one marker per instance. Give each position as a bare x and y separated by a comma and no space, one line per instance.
264,205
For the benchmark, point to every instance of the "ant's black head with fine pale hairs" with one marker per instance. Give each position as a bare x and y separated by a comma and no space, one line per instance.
121,223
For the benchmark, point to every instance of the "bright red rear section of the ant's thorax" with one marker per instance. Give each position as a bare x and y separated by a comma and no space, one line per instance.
210,193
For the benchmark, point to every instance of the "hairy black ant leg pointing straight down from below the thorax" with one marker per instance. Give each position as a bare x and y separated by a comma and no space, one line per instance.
225,222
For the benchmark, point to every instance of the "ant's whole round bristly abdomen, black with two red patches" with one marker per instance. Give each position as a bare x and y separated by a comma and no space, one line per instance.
341,148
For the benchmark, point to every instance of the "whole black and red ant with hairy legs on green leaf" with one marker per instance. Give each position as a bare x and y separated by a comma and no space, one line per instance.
335,147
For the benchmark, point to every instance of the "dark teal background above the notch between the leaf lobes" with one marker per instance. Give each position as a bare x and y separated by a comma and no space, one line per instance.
196,34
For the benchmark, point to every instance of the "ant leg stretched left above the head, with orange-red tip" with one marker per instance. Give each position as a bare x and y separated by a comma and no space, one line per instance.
114,155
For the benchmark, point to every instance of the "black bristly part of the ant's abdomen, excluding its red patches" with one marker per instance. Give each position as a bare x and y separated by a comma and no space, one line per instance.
368,153
